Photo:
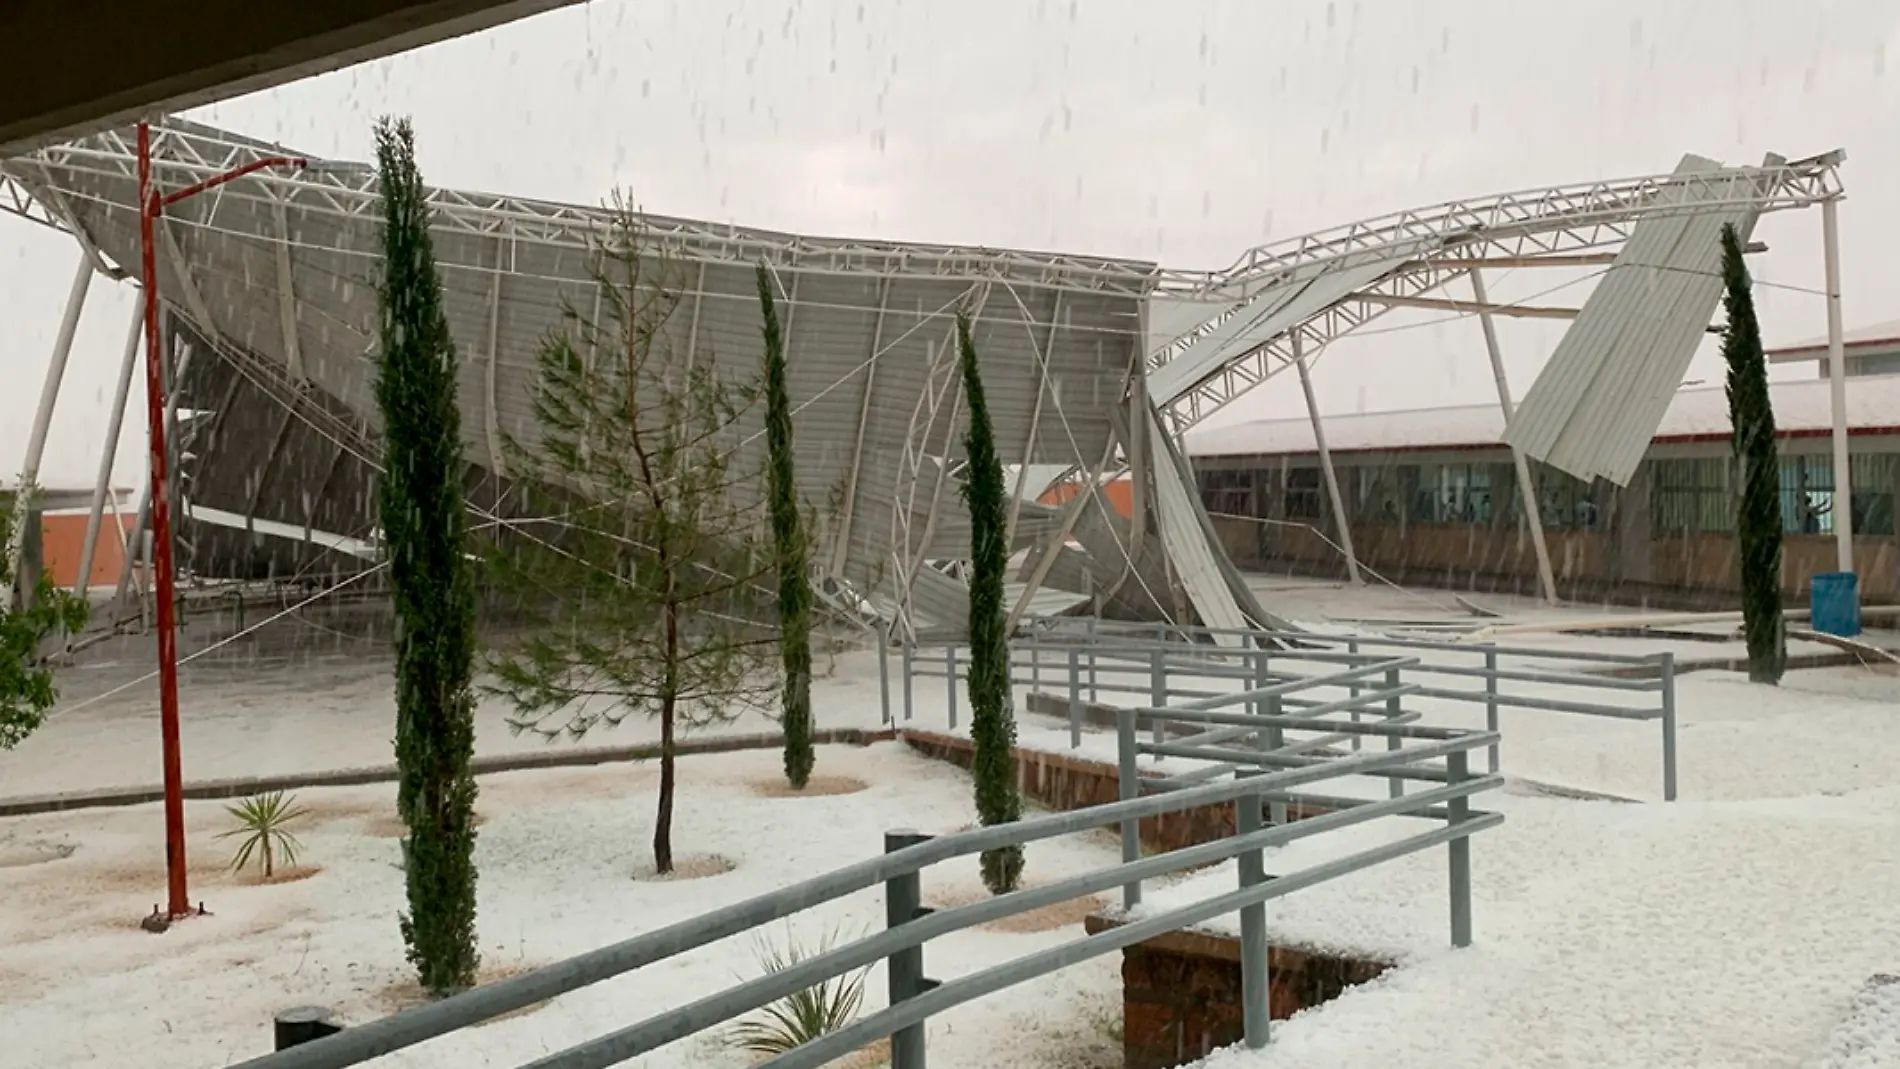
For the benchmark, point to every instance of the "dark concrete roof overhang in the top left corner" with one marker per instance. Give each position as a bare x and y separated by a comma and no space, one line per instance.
178,54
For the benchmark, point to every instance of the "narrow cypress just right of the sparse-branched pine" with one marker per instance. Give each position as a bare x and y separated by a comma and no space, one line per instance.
795,584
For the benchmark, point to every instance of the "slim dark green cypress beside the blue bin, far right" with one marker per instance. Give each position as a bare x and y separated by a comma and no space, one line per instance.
1753,441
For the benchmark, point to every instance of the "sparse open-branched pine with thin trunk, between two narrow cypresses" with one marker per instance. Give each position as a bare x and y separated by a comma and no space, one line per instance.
649,590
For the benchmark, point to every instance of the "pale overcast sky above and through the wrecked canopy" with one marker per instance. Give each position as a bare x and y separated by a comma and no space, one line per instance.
1160,130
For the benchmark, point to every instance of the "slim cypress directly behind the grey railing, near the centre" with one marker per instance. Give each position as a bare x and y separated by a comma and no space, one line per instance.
993,724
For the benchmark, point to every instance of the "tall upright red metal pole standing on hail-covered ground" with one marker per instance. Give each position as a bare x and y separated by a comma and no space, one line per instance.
162,584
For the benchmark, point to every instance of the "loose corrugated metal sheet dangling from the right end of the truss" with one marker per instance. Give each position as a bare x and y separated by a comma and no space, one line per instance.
1610,381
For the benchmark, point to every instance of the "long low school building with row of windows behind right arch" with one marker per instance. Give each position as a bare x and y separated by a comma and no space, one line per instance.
1432,497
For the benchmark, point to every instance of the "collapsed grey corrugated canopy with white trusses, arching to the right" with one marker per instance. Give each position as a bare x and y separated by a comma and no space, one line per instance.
1095,366
